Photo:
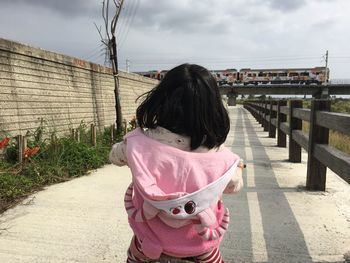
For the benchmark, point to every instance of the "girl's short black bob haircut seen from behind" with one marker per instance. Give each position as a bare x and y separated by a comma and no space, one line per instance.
187,102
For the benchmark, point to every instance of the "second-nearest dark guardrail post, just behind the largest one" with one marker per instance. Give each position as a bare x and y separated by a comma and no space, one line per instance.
294,124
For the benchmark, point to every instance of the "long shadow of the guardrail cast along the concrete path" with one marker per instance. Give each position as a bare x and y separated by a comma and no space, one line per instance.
281,239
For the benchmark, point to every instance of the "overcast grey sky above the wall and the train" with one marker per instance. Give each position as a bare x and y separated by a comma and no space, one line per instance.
218,34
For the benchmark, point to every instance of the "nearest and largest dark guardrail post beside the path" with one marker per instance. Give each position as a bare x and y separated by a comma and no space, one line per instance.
316,171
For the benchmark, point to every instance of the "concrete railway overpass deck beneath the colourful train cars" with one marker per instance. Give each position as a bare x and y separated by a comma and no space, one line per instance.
317,91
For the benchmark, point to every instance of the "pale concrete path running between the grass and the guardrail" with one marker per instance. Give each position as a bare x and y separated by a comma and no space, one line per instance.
272,219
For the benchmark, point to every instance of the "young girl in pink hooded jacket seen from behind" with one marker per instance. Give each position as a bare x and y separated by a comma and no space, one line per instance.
180,169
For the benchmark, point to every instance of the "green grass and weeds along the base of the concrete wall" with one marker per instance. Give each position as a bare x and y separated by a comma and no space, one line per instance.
57,161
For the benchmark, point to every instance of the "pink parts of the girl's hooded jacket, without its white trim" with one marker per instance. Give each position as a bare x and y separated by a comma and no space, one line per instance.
162,172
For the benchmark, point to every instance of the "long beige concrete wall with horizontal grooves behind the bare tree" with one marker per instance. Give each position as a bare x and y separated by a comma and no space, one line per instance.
62,90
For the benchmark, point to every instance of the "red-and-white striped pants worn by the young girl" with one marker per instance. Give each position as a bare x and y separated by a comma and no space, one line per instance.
135,254
